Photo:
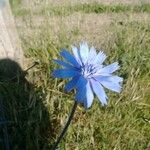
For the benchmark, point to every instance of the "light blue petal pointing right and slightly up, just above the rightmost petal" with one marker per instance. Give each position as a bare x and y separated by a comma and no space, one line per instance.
110,68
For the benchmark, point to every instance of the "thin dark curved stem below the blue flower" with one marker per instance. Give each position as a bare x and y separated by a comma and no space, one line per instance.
65,127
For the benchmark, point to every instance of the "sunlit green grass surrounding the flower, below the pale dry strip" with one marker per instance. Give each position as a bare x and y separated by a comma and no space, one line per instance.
122,123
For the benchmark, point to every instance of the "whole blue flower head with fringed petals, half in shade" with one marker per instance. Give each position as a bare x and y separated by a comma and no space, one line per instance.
88,74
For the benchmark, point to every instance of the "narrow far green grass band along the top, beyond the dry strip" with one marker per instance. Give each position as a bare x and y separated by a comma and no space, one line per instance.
85,8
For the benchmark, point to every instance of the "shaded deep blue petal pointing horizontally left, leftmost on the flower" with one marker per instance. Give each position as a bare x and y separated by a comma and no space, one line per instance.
65,73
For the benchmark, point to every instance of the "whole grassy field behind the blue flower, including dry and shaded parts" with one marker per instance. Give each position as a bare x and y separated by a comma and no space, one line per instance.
37,108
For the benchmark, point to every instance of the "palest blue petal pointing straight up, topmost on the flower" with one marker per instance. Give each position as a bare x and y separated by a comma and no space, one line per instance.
84,51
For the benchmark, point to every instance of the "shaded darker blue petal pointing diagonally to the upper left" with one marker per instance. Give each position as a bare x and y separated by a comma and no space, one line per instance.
70,58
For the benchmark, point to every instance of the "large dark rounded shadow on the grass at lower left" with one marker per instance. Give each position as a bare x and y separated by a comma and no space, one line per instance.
24,120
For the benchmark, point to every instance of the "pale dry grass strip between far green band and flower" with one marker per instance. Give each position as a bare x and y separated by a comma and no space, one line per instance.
90,27
